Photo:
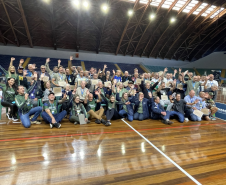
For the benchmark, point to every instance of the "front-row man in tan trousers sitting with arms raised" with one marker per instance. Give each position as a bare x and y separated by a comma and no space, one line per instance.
94,108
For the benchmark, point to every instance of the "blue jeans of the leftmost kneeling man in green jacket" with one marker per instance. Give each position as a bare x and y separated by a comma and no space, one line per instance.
25,118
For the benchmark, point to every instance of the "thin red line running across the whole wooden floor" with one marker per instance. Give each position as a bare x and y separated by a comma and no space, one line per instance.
95,133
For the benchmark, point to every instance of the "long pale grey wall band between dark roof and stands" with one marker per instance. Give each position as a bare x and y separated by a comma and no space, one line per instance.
90,56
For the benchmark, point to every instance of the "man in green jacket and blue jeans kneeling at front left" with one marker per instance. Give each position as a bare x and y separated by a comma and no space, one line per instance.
26,108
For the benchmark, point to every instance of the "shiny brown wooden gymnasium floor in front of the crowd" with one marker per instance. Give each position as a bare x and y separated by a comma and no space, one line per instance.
95,154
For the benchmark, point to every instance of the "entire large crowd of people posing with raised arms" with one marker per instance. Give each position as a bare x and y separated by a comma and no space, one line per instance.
104,95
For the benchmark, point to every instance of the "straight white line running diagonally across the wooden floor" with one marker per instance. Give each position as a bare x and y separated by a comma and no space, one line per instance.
175,164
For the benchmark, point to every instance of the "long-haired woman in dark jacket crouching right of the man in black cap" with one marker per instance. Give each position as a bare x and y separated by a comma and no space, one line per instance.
77,109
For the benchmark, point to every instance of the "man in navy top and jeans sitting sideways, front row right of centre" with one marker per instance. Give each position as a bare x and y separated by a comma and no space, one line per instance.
158,112
